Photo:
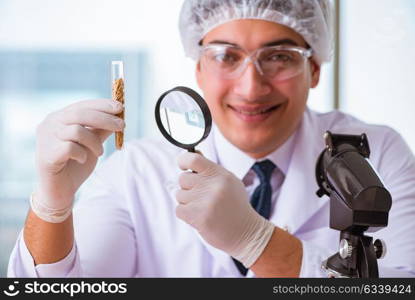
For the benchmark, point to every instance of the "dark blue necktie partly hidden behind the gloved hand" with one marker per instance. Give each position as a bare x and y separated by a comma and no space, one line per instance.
261,198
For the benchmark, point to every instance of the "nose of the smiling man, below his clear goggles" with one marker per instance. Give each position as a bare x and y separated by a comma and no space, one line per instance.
251,85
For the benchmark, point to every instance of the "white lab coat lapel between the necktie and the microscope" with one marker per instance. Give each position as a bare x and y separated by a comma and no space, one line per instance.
298,202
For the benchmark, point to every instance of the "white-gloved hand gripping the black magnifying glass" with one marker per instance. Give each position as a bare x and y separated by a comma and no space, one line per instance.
215,202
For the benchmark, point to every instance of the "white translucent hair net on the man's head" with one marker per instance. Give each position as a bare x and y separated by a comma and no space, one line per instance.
312,19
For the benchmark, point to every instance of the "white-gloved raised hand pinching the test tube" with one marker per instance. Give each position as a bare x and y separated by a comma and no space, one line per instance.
69,143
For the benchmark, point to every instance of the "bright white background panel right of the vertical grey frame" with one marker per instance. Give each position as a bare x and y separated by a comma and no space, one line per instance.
378,63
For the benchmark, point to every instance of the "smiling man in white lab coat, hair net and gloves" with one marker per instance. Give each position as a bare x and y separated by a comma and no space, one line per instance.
141,215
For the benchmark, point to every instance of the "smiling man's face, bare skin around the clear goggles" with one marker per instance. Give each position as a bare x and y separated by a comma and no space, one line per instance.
236,104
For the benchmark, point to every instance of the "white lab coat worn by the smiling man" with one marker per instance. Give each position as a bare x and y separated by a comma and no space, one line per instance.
125,222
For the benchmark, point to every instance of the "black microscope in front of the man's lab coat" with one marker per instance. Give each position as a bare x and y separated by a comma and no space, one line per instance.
359,202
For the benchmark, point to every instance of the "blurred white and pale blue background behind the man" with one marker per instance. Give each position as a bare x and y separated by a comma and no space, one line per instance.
56,52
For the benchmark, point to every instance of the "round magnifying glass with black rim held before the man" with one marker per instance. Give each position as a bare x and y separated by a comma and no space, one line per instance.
183,117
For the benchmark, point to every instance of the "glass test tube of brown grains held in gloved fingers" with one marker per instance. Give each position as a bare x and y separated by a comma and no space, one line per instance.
117,79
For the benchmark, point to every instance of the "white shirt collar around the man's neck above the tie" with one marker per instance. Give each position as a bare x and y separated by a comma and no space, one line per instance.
236,161
